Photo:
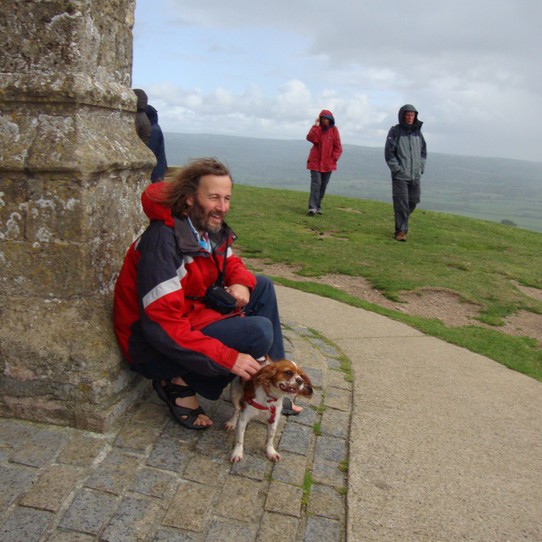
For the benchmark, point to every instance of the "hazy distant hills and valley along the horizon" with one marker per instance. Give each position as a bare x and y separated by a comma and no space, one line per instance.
493,189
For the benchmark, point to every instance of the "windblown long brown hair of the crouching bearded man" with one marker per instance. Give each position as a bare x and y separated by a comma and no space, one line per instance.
186,183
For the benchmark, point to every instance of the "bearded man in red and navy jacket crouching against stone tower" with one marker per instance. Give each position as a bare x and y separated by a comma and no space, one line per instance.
165,327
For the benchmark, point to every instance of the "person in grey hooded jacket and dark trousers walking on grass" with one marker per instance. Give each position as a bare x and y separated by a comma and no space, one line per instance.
405,153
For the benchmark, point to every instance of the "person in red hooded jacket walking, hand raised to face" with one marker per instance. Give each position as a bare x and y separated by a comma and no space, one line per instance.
323,157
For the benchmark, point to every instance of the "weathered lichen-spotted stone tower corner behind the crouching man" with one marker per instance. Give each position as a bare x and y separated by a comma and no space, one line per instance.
71,172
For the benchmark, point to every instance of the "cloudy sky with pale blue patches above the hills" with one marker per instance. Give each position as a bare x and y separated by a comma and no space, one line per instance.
472,68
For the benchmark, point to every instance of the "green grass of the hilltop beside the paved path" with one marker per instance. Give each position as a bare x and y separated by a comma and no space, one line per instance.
477,259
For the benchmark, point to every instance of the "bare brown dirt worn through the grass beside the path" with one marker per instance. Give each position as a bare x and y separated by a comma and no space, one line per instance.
440,303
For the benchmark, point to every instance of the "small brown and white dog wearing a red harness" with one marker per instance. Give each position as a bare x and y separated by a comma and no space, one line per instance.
261,398
